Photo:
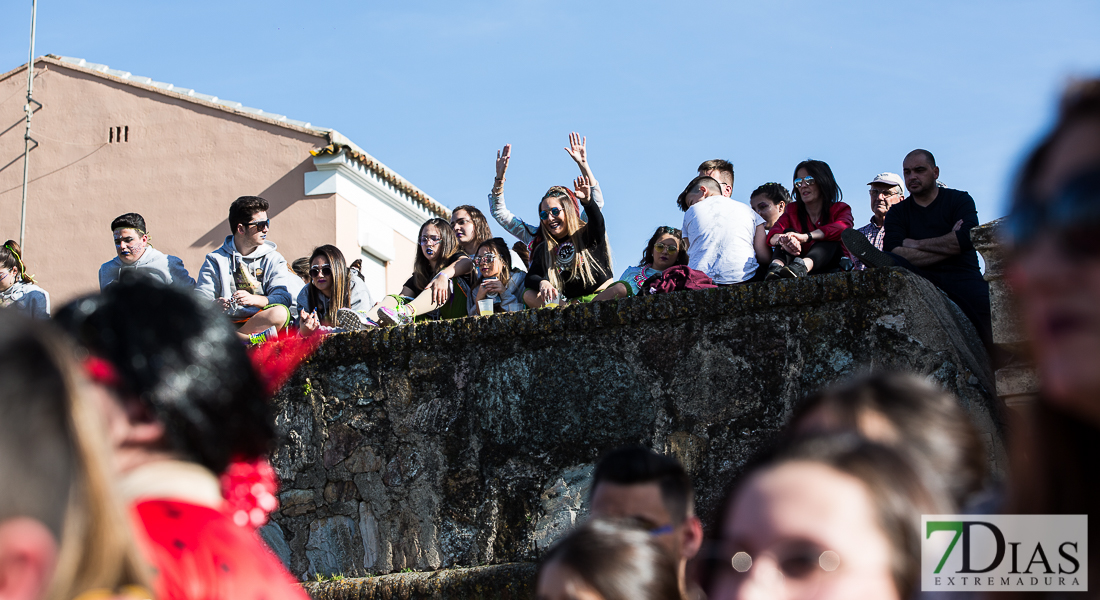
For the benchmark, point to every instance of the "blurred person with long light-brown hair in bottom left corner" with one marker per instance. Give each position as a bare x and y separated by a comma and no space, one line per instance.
63,534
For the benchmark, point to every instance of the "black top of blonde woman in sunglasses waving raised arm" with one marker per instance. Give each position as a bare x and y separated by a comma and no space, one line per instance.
595,236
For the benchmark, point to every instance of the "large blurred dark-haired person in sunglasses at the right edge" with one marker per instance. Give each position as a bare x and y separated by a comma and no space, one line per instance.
1054,269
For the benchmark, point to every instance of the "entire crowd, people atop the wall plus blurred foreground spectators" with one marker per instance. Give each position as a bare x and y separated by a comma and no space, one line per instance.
135,426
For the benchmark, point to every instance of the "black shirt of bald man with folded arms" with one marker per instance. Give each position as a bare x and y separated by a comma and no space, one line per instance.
909,220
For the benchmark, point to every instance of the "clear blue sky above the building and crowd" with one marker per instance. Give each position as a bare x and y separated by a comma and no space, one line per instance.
434,90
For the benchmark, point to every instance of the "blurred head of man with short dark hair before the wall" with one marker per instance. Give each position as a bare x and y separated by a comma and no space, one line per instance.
636,483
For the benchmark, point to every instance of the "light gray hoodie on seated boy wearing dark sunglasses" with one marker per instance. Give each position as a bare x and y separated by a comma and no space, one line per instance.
226,271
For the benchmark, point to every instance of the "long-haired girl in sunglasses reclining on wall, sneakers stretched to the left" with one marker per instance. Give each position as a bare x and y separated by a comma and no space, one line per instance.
443,279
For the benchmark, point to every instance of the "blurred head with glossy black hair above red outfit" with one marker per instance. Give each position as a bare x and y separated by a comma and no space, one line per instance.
183,385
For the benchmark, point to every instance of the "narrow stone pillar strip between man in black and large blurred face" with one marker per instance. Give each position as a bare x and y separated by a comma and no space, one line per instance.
1017,380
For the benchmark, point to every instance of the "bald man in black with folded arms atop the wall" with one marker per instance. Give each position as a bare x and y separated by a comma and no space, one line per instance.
929,233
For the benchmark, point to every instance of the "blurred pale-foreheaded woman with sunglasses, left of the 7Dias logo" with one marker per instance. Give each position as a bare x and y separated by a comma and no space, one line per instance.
827,518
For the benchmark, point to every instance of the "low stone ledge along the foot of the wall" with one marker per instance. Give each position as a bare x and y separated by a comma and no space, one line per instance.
514,582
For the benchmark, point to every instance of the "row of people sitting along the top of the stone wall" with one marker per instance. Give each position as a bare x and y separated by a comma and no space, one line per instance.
565,257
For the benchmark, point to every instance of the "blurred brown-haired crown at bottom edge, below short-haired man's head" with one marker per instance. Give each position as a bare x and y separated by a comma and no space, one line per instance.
608,561
